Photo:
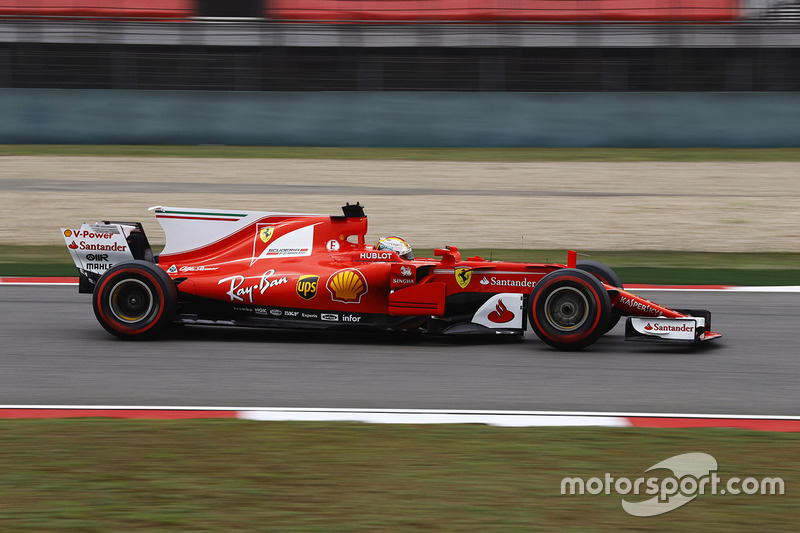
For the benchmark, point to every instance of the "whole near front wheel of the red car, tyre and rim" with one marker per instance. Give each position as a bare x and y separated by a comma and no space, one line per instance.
569,309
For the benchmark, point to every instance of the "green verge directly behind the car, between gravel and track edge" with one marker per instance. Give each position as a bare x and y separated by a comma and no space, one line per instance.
632,267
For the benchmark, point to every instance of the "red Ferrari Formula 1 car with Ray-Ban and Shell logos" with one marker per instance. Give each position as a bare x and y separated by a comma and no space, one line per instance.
246,268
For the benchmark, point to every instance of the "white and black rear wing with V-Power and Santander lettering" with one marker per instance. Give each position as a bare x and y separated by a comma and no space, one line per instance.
96,247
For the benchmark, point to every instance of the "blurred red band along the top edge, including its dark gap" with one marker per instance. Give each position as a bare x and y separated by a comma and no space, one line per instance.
382,10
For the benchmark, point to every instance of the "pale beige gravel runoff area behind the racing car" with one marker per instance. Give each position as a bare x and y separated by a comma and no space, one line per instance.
709,206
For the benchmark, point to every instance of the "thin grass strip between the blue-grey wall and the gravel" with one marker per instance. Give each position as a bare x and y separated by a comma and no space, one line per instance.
423,154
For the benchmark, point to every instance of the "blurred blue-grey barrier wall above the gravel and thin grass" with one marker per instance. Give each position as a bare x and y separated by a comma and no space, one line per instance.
406,119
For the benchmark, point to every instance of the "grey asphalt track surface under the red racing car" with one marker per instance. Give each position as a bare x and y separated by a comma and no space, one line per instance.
53,352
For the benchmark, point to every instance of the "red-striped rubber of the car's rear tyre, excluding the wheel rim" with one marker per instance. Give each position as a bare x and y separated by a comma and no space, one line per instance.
162,289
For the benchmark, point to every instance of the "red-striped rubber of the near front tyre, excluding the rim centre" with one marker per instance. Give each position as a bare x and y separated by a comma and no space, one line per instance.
599,309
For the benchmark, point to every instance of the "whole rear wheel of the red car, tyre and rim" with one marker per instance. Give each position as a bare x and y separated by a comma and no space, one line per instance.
135,300
